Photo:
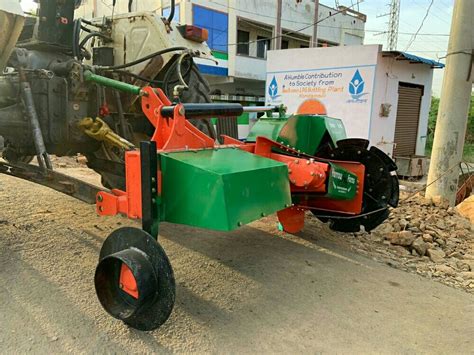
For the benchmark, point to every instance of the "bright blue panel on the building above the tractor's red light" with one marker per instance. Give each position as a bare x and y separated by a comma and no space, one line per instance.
216,23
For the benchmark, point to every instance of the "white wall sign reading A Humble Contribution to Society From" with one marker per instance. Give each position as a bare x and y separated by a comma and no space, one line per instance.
336,81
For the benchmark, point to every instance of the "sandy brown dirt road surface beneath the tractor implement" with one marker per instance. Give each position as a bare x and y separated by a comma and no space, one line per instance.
251,290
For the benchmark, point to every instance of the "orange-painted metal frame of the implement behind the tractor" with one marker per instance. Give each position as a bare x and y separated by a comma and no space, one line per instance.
307,175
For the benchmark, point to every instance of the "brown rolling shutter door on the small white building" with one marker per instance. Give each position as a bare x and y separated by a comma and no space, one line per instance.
408,118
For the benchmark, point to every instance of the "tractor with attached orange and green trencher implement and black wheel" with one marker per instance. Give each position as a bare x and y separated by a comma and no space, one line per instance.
140,112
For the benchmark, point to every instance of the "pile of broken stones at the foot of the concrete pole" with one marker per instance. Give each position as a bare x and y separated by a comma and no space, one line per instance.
427,237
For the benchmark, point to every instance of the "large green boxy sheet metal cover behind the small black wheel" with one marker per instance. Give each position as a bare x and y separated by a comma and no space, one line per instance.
221,189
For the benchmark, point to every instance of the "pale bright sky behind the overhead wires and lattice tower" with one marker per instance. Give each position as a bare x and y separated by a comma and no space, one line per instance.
431,42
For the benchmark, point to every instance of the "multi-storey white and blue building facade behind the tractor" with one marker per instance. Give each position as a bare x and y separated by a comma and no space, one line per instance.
242,31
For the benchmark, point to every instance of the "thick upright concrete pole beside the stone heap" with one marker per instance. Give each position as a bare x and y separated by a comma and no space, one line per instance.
452,117
